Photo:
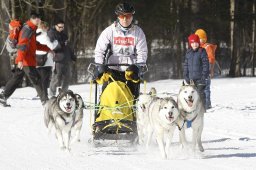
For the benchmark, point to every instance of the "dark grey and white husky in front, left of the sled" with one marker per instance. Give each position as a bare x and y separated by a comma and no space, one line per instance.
59,112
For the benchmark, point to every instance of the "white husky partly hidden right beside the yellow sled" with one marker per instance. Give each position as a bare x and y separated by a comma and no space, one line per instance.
142,115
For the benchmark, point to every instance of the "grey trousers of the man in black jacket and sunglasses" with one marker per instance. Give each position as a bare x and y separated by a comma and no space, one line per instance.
60,77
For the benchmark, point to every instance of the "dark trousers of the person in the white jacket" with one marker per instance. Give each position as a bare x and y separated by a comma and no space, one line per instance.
45,74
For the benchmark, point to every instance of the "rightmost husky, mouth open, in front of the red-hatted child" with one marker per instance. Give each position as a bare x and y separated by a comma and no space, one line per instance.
191,109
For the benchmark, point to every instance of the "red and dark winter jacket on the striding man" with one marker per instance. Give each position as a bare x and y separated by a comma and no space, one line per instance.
27,45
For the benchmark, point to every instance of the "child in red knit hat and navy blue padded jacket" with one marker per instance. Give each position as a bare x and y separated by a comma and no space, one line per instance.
196,65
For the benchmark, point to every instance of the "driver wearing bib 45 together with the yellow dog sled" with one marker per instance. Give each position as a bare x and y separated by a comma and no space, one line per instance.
120,54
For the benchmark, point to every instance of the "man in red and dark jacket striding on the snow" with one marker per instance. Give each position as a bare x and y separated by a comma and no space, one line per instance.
26,61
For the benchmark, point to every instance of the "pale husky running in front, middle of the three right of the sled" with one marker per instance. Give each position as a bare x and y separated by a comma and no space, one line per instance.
163,116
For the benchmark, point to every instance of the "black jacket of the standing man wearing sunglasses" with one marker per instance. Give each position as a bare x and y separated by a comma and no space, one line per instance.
62,38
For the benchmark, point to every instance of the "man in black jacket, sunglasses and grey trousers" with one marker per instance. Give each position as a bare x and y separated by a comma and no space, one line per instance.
62,60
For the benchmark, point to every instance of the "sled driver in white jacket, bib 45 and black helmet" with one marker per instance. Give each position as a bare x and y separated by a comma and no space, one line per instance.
127,45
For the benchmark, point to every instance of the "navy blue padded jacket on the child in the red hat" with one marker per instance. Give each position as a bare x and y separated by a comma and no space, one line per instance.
196,65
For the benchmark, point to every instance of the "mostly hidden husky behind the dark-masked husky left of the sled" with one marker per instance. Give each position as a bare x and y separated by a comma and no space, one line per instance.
78,118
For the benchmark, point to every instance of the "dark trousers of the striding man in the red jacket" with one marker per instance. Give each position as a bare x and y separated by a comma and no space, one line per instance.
17,78
